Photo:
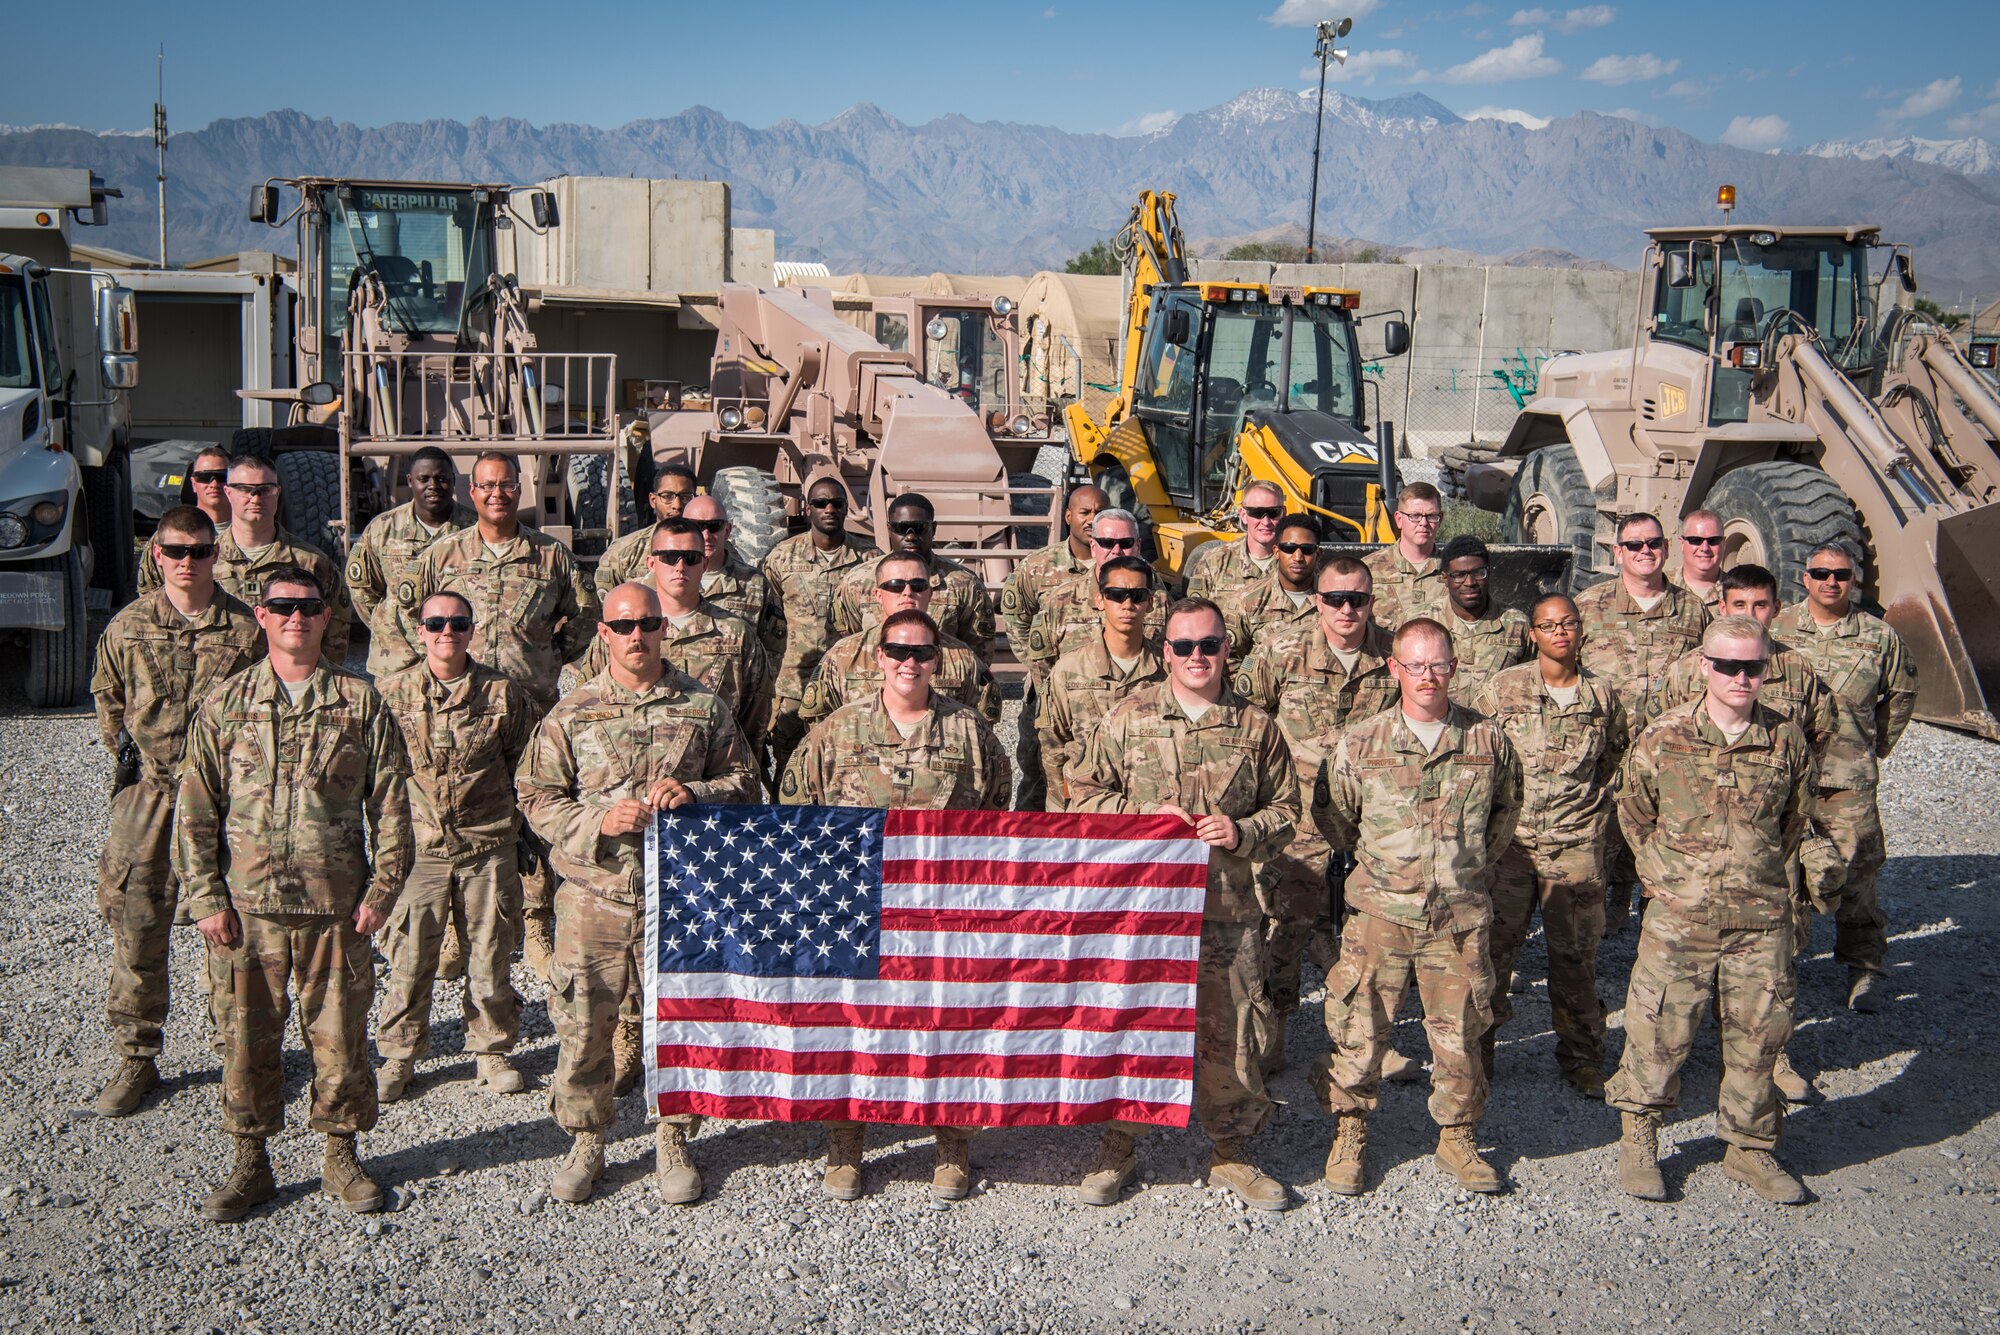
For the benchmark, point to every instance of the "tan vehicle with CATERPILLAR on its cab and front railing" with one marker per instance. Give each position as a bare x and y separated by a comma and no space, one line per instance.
413,333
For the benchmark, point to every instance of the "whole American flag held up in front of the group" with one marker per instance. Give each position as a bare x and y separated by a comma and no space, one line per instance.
929,968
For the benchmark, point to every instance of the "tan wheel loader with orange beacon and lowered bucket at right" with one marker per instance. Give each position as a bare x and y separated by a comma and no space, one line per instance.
1783,379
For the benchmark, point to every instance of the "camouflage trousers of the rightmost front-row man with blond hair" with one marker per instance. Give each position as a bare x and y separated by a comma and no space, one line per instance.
1683,968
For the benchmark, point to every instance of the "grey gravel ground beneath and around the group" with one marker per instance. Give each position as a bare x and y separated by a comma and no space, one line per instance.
1903,1154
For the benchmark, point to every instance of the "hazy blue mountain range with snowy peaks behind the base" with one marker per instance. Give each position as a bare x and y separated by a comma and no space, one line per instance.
869,193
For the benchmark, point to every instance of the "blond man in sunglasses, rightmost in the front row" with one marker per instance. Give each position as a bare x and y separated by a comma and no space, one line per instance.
1717,800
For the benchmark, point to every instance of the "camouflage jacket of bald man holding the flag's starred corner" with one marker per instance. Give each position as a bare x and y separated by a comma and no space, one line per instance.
605,742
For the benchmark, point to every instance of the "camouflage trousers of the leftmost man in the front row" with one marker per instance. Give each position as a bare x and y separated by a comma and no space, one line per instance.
333,968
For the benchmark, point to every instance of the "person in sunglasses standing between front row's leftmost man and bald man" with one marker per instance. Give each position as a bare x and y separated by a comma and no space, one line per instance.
465,728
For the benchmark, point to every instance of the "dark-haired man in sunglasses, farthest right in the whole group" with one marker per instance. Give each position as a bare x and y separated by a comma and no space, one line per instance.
1869,670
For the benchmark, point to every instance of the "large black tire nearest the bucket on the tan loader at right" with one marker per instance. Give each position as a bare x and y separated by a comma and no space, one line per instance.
1775,515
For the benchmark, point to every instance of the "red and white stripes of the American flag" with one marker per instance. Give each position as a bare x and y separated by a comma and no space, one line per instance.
1035,970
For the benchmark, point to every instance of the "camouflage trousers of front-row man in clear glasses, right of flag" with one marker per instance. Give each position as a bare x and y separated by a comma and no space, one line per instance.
1455,984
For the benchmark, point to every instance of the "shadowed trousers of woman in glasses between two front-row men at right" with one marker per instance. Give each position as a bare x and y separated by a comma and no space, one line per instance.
1569,886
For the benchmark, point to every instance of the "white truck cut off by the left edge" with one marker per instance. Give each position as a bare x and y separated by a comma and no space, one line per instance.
67,361
